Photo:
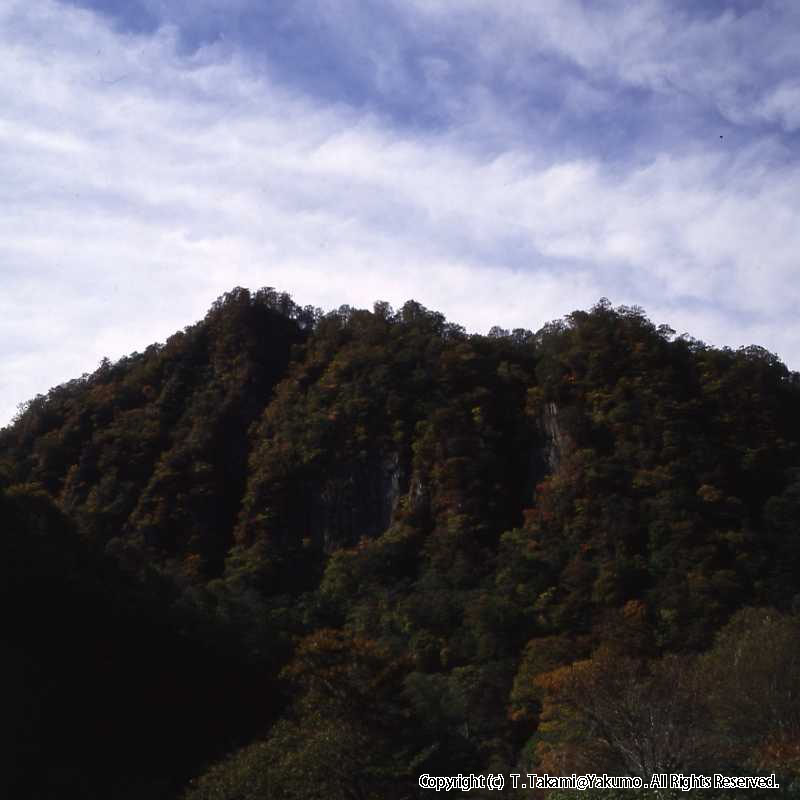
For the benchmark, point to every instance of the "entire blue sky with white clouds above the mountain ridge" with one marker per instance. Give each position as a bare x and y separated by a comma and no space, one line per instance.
504,162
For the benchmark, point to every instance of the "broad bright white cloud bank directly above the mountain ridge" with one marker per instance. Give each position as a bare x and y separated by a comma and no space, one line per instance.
139,184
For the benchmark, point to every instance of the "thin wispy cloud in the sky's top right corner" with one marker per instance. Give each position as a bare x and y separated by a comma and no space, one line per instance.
730,63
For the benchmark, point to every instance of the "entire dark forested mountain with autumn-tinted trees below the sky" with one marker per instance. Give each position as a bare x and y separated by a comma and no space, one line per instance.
297,555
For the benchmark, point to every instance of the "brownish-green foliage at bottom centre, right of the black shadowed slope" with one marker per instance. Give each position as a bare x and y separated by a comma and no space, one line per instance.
346,736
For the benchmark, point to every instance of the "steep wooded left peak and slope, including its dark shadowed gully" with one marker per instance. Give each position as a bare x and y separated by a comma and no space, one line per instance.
149,455
